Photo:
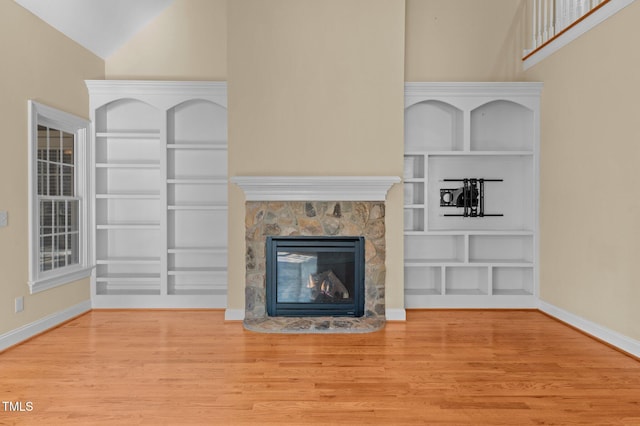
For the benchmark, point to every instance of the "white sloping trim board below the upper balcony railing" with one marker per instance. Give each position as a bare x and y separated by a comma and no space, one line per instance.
602,14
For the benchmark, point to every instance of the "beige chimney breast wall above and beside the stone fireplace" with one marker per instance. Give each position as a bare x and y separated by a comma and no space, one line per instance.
316,88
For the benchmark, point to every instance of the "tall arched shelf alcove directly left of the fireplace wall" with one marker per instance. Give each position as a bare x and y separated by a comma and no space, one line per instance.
196,198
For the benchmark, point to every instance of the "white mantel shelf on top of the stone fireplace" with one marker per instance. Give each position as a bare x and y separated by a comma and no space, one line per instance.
315,188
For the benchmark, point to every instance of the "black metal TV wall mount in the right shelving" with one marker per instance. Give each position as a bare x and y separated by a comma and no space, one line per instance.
469,197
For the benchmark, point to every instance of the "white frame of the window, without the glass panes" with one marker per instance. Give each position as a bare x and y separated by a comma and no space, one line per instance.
44,115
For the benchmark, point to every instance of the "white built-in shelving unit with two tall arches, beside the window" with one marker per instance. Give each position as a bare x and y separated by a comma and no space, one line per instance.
160,193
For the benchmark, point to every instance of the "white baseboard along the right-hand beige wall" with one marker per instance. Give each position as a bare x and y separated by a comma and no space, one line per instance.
611,337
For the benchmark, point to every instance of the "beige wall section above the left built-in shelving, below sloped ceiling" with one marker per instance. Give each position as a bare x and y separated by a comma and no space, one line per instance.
188,41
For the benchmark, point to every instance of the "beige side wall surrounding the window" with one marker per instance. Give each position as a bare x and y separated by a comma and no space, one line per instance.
37,63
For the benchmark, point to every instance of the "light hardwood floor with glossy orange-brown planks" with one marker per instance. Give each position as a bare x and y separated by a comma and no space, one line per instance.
439,367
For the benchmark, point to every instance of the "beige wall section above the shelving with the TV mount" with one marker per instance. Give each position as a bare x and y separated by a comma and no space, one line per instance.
463,40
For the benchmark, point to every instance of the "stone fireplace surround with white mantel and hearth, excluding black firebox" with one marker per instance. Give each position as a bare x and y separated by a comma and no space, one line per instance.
322,207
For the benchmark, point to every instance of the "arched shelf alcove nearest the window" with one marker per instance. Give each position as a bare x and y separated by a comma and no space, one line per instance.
128,188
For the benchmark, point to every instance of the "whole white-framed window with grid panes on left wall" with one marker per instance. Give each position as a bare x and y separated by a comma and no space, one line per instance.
58,206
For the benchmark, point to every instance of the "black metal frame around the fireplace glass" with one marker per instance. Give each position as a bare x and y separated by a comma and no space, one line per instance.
322,243
